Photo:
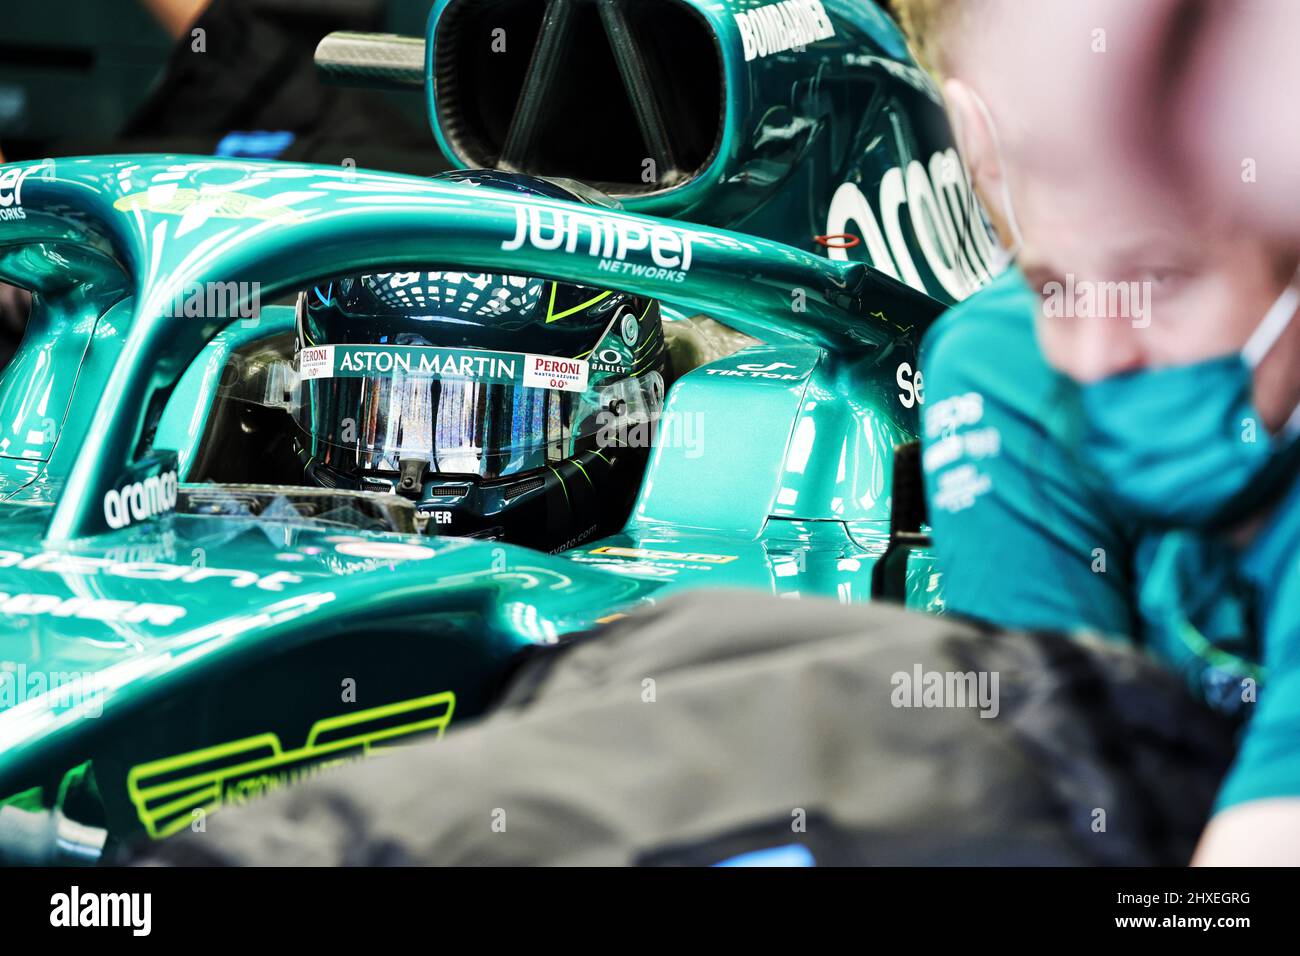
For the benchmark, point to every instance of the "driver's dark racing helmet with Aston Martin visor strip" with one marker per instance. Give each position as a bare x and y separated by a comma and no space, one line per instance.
506,406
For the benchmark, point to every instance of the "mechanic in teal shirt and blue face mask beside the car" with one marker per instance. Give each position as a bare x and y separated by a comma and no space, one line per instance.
1112,429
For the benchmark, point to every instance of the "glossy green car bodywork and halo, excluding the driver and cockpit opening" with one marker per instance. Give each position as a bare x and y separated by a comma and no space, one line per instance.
172,642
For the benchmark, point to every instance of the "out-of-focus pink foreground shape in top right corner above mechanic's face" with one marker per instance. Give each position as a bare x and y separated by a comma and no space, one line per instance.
1191,101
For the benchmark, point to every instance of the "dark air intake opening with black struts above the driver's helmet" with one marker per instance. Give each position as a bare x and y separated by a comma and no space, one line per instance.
623,94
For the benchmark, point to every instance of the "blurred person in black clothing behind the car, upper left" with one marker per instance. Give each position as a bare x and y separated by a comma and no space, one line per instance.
241,81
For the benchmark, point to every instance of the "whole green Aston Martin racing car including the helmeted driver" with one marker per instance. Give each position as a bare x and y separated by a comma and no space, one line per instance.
197,608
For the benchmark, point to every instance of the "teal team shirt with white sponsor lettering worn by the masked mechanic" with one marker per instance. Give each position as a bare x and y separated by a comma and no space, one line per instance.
1028,539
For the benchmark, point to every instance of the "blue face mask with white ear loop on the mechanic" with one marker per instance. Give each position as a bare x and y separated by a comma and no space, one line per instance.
1185,445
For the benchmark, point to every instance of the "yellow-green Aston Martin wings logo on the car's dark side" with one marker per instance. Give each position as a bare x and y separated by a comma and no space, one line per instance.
168,791
